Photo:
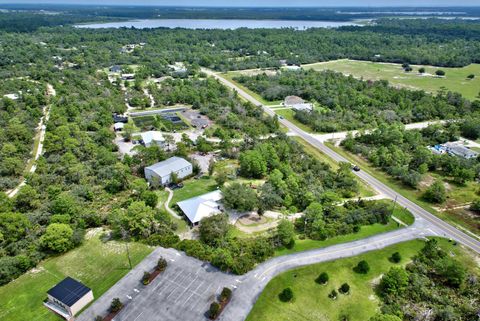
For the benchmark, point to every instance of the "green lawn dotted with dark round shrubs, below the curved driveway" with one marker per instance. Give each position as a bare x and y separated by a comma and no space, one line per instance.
311,299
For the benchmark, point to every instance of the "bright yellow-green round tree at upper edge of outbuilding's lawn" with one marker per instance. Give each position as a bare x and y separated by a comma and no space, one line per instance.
57,238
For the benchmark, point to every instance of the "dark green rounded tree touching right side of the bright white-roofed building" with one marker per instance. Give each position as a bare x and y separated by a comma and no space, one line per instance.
239,197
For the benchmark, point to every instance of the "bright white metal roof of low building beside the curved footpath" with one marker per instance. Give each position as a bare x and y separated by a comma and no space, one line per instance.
201,206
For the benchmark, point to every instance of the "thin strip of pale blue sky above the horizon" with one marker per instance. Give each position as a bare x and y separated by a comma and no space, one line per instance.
260,3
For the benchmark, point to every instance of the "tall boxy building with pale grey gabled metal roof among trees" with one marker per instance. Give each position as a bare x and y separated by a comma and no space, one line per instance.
160,173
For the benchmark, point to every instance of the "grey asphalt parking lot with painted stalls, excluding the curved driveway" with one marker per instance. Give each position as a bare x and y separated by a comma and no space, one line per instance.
183,291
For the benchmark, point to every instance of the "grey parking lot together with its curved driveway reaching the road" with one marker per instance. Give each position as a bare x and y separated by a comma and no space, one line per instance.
188,286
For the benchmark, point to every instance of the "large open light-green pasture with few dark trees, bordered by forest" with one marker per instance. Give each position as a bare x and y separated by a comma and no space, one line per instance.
454,80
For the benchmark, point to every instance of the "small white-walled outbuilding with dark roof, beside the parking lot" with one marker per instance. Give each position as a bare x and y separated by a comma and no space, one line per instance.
68,297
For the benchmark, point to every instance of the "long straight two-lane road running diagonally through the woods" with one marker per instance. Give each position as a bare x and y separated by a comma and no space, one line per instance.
435,224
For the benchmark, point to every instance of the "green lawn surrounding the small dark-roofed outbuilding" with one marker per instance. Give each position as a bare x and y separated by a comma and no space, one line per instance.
98,265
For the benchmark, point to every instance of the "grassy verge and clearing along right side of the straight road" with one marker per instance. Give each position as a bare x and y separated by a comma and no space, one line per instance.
457,194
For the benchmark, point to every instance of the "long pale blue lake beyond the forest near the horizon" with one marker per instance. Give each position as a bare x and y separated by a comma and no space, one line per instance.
217,24
